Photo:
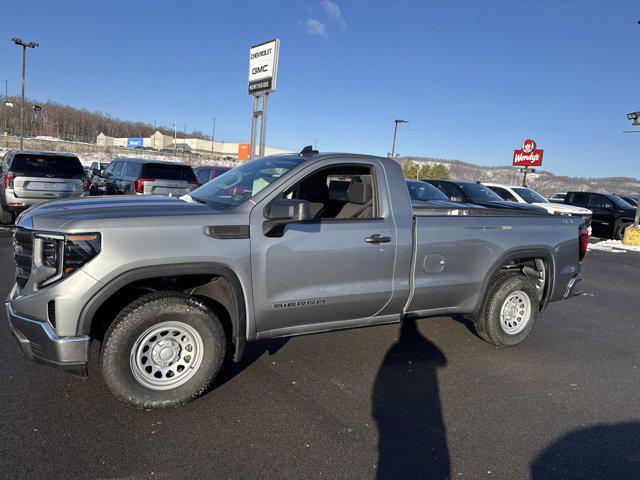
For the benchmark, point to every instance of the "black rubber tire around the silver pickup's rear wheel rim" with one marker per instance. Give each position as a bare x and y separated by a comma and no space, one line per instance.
489,325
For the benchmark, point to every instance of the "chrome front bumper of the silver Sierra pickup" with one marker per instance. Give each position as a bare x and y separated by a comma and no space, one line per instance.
40,344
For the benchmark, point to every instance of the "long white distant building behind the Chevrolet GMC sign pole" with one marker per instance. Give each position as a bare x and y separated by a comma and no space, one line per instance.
159,141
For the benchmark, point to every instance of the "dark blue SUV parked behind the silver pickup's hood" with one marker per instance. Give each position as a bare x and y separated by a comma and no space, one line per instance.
148,177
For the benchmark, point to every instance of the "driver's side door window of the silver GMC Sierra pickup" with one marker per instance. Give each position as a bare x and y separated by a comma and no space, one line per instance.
344,192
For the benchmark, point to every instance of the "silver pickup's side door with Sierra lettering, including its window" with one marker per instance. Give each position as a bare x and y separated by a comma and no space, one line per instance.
338,266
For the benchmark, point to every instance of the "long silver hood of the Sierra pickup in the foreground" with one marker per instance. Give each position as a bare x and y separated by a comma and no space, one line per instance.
93,212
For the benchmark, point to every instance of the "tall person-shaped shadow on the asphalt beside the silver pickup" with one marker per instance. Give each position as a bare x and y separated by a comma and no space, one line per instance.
406,407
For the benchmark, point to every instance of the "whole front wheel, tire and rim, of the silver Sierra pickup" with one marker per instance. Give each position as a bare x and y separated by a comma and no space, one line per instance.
162,350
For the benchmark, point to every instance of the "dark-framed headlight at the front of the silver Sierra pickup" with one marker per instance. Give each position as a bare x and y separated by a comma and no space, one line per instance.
57,256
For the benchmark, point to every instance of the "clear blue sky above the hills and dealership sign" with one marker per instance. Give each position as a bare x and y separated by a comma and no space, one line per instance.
474,78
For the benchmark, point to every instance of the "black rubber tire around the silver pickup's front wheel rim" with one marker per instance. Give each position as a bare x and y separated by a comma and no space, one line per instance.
132,323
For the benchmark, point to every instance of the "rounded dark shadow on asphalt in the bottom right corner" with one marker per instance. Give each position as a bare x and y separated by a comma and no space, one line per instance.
598,452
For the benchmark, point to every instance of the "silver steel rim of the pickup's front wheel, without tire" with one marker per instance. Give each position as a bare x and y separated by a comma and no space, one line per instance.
166,355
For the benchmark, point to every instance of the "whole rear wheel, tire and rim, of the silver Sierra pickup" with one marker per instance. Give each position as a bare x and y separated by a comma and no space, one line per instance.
509,310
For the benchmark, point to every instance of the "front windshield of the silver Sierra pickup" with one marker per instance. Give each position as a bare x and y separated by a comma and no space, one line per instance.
241,183
